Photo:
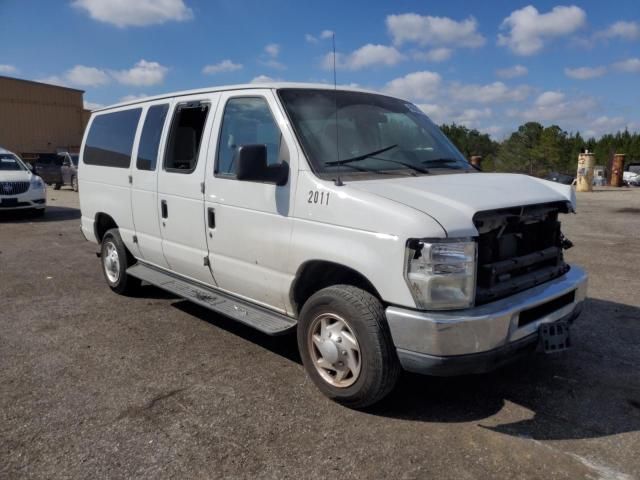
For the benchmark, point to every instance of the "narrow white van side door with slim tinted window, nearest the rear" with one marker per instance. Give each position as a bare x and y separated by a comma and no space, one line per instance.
144,183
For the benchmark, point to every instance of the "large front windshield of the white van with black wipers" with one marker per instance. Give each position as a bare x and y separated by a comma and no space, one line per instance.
364,133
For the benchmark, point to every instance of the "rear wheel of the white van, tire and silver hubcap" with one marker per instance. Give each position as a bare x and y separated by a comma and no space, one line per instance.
120,283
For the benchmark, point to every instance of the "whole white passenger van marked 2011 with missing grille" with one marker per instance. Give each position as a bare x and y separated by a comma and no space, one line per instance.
343,213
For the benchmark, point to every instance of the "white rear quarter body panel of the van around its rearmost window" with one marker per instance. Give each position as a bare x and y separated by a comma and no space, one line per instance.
105,190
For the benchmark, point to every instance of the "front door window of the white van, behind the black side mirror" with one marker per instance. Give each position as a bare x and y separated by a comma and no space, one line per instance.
246,121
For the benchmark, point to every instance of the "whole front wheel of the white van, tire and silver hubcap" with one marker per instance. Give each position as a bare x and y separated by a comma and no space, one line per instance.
346,346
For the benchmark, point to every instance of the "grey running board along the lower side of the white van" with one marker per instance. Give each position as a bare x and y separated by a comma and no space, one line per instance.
260,318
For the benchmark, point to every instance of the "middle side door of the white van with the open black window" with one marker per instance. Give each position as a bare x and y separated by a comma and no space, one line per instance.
180,201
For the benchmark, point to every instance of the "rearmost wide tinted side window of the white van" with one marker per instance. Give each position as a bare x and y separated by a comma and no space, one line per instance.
110,139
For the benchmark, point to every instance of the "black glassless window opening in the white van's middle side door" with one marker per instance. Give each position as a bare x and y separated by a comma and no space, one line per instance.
183,145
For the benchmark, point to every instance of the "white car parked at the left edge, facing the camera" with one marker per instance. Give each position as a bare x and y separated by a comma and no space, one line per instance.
20,188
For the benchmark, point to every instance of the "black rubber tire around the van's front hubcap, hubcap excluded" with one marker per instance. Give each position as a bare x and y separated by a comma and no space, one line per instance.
364,314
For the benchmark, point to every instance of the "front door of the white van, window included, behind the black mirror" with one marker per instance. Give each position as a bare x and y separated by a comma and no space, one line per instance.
248,223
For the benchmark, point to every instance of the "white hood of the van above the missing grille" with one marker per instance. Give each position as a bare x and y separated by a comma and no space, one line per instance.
453,199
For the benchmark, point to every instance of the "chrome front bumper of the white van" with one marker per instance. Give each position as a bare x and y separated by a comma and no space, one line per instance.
480,339
